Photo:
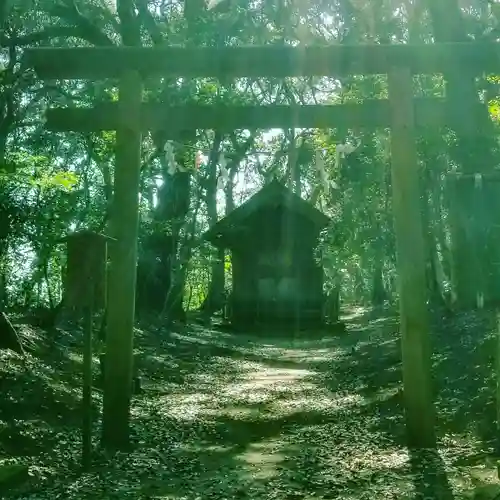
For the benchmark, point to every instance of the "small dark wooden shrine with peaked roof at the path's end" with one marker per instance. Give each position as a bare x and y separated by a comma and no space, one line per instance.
276,280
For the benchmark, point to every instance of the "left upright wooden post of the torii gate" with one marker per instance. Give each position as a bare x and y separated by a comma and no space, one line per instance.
123,270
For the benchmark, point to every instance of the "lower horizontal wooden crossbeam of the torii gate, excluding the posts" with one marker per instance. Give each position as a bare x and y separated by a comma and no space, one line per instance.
430,112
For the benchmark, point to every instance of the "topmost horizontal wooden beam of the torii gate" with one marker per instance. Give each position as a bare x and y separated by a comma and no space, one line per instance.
260,61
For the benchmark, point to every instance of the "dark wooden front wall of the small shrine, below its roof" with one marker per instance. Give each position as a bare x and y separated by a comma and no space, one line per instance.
275,277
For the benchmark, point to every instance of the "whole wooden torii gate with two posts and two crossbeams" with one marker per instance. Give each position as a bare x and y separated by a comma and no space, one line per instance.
130,118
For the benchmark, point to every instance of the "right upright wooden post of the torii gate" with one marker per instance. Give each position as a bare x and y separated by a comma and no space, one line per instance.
420,416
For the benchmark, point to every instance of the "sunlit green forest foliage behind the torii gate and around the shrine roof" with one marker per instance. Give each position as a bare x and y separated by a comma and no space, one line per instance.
50,183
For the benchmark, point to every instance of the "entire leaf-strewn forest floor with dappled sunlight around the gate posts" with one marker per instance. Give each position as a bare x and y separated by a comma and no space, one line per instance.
227,416
